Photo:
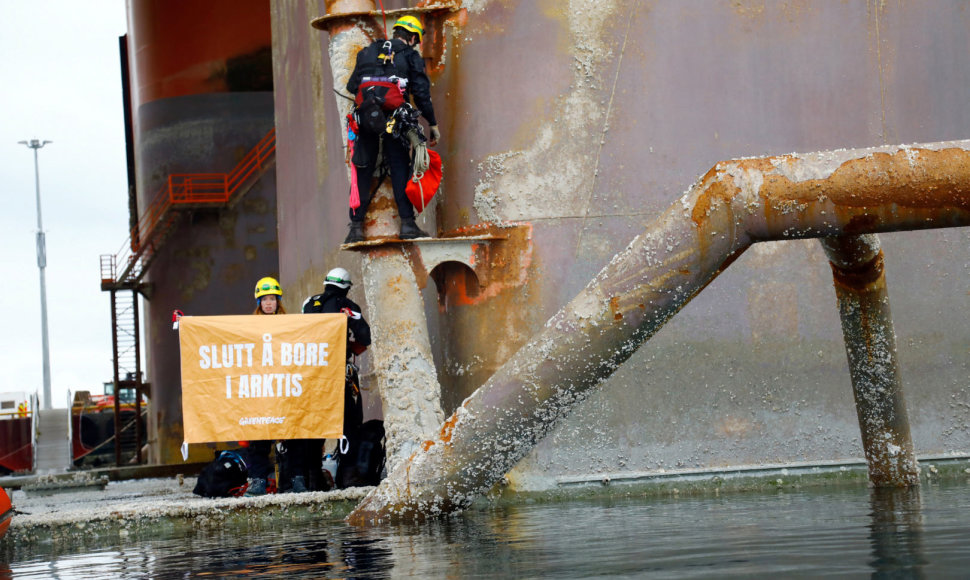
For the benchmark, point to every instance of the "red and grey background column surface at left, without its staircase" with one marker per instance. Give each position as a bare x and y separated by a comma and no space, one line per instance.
199,106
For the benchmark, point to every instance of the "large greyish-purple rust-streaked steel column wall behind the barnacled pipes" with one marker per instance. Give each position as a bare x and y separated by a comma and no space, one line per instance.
584,130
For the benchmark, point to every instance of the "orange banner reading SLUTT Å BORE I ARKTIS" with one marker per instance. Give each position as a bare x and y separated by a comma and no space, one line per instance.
263,377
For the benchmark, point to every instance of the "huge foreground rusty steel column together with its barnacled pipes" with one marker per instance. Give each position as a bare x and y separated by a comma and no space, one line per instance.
567,128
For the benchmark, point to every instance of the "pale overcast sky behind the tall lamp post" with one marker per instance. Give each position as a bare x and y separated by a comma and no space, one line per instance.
59,65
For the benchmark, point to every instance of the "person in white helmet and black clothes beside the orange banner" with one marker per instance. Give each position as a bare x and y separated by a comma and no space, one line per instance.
334,300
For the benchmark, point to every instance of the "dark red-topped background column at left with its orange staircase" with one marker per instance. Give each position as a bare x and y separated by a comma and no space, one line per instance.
197,241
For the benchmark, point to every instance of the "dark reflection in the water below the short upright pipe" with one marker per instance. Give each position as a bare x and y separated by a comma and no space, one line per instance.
896,533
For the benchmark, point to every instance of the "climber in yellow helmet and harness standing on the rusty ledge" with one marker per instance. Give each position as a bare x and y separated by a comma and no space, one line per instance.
387,75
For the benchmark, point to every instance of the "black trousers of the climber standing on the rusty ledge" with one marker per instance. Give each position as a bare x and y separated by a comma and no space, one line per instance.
398,158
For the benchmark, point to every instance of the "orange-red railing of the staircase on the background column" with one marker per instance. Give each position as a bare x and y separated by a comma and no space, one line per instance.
186,189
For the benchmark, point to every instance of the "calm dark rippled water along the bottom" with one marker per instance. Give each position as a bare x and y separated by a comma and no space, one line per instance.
841,533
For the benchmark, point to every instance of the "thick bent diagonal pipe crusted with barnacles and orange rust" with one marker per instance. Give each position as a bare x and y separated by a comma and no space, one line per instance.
736,204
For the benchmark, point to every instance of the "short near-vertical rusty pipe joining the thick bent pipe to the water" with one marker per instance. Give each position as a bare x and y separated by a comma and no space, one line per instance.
870,343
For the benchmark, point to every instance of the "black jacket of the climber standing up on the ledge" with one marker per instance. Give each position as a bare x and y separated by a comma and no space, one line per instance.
407,63
